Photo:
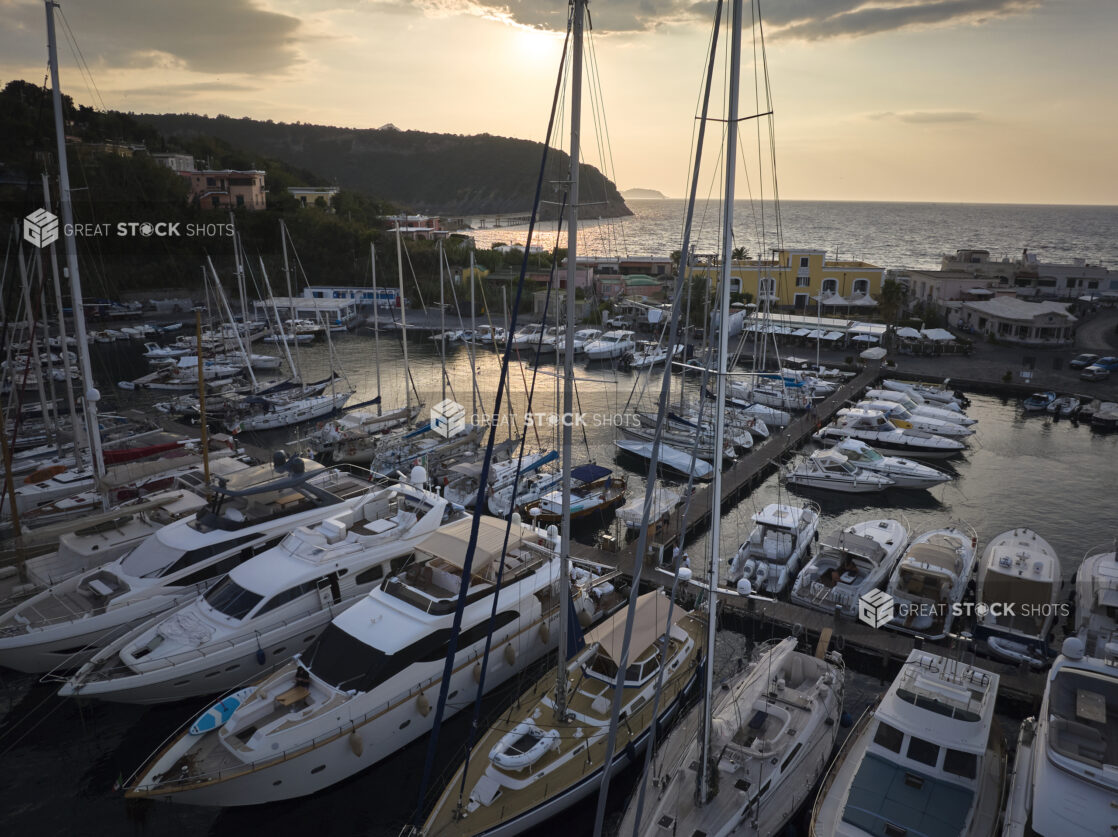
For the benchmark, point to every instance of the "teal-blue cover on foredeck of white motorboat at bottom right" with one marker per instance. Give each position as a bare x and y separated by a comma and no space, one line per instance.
884,793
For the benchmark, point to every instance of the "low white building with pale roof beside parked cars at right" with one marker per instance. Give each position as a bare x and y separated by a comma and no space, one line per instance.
1017,321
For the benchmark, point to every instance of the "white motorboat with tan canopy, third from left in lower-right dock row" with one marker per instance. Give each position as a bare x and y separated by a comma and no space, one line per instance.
931,579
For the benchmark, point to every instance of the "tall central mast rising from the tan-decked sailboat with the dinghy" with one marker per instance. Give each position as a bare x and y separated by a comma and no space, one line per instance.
569,391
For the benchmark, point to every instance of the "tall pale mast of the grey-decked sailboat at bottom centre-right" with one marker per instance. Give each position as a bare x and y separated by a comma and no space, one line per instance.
724,346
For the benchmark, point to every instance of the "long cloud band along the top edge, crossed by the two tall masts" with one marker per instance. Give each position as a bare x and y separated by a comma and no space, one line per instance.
801,20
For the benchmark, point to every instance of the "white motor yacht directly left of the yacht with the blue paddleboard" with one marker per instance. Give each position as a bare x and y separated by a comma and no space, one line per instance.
267,610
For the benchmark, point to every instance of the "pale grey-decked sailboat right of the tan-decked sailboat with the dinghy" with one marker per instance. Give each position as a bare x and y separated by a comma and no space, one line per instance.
773,729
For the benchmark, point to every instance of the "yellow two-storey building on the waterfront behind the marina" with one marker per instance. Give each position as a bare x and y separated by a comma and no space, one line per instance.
802,280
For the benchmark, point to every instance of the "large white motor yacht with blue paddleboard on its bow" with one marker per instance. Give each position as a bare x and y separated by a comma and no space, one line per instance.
369,686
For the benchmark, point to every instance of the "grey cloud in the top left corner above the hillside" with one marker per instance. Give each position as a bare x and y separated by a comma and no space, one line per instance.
219,37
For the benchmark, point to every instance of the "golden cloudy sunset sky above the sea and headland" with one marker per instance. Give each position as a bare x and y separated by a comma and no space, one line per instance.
956,101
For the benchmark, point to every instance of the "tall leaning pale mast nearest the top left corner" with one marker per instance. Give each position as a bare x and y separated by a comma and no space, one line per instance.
91,396
